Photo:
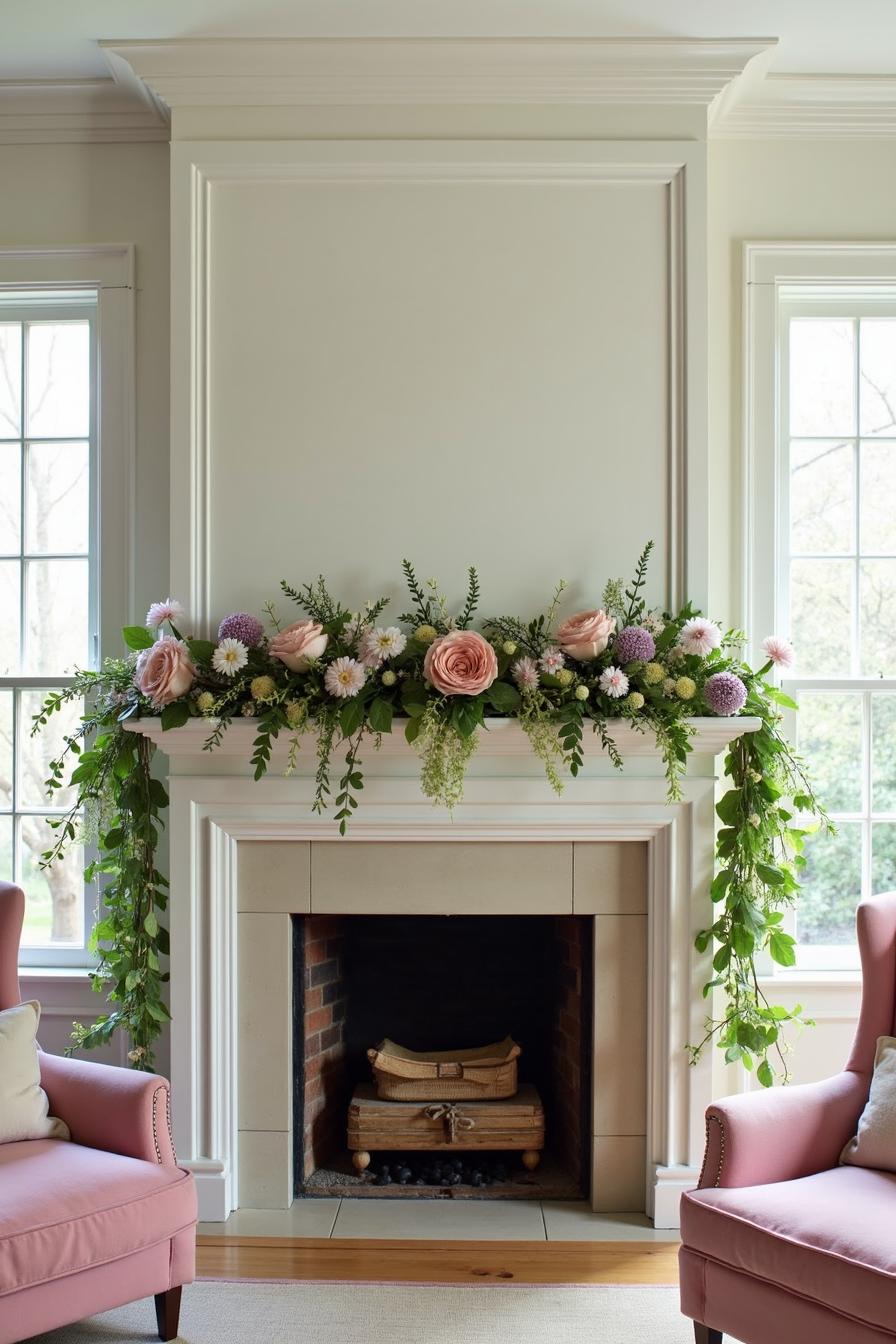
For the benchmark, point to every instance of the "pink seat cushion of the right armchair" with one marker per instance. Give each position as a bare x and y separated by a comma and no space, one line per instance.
823,1237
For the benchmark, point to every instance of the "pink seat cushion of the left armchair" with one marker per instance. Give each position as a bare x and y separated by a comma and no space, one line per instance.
65,1209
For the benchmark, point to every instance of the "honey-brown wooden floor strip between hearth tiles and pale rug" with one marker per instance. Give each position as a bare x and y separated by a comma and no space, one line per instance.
437,1263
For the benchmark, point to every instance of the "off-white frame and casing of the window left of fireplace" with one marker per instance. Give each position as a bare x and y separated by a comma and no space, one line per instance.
108,272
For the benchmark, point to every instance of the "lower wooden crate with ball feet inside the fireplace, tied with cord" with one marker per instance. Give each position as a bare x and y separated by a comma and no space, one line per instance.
517,1124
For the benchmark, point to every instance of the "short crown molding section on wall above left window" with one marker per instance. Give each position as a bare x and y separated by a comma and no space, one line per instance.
80,111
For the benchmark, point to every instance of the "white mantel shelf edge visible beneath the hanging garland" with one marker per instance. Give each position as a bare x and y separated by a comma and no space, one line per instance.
503,739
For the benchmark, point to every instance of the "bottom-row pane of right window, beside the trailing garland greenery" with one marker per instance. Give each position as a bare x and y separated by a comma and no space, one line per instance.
832,886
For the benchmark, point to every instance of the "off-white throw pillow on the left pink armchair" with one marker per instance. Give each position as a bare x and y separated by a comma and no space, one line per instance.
25,1111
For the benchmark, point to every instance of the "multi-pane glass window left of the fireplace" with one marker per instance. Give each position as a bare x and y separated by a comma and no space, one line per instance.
48,583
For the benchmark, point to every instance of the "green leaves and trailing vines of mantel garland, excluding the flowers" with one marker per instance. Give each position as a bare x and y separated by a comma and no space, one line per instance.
760,843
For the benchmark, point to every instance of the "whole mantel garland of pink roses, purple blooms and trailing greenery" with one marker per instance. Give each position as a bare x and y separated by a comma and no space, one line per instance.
346,677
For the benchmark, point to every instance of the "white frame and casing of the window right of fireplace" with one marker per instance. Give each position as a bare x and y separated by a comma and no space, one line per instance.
830,275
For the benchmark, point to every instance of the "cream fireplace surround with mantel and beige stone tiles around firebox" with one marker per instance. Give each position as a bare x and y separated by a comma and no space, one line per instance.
242,864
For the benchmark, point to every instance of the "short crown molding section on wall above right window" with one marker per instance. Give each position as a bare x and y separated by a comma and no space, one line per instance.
811,107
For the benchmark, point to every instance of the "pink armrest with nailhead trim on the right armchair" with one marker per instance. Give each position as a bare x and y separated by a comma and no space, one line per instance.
756,1139
